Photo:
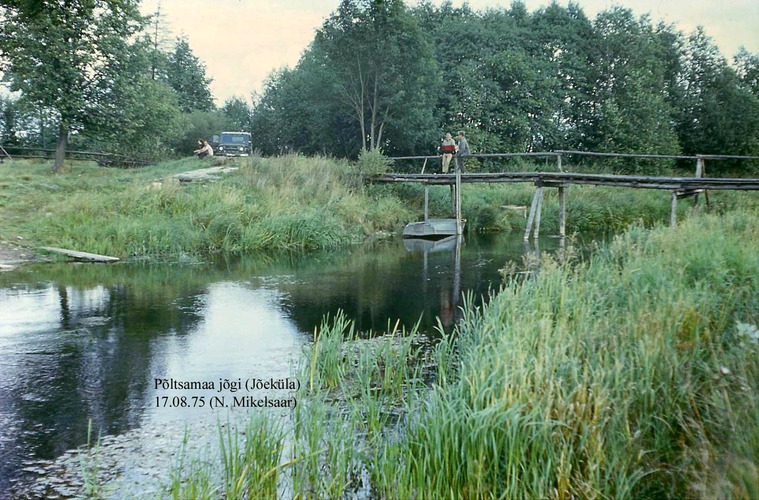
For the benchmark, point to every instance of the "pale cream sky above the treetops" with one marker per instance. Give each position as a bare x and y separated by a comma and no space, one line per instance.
242,41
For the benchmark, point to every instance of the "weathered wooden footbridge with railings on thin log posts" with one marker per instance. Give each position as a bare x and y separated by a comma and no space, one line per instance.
679,187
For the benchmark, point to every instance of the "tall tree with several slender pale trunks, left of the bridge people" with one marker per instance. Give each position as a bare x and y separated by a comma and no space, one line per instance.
384,67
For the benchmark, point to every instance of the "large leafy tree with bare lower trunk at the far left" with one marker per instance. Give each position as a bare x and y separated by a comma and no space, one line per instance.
67,56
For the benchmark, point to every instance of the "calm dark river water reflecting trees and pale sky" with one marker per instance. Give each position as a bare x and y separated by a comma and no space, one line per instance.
82,345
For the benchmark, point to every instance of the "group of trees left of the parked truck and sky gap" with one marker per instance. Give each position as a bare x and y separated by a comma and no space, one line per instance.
96,74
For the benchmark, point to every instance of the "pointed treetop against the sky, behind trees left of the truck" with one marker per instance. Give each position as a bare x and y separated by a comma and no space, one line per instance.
186,74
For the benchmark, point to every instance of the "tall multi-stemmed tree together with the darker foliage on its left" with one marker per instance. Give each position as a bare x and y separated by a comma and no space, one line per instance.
368,81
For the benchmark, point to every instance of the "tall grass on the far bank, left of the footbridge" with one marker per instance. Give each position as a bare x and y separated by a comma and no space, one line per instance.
286,203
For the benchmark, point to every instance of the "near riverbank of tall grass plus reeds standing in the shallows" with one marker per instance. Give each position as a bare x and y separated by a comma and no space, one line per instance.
632,375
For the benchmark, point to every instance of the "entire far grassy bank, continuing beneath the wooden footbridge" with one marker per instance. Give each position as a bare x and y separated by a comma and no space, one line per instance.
273,204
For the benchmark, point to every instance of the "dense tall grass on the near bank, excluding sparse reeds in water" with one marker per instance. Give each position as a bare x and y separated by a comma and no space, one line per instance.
616,378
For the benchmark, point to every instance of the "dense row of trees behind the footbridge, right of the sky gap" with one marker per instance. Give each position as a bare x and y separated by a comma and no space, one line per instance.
379,74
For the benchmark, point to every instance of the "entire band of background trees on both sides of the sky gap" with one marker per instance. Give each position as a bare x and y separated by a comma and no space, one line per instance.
381,75
